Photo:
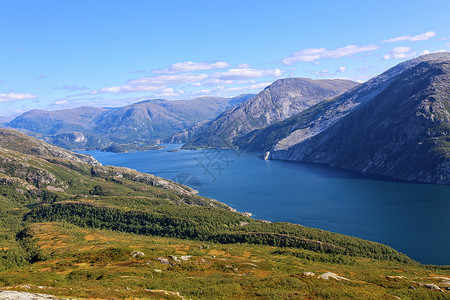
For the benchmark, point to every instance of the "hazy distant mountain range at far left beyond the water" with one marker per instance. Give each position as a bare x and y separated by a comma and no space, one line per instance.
144,122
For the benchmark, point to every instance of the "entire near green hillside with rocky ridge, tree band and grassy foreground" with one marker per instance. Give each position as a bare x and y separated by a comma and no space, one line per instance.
73,229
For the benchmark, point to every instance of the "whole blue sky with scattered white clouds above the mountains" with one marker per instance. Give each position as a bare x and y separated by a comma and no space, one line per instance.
64,54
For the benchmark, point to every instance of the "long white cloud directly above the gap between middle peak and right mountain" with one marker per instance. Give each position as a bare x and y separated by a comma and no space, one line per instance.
314,54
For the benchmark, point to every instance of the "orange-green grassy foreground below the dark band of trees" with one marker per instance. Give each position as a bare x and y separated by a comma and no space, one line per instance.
84,262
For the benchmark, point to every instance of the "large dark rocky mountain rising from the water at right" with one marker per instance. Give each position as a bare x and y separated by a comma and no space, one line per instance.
396,124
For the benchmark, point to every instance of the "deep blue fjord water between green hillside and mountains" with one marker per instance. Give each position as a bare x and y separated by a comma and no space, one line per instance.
412,218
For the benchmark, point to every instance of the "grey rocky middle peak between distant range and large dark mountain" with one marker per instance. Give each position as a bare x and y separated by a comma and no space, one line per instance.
280,100
